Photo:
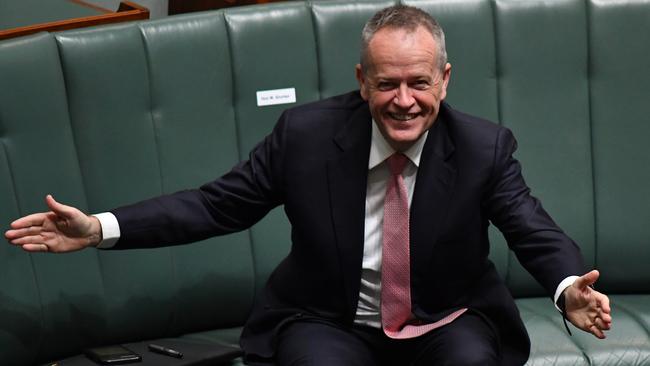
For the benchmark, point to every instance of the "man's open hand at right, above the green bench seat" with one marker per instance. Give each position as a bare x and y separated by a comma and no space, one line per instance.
587,308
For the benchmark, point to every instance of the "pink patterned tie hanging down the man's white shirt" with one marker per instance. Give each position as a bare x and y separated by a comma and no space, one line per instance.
395,265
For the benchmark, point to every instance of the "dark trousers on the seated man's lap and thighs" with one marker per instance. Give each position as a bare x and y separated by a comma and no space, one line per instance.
469,340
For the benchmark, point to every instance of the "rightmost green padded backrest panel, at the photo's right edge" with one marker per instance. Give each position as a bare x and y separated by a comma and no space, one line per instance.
620,90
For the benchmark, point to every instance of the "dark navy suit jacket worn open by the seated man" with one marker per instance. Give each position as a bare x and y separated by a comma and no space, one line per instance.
315,163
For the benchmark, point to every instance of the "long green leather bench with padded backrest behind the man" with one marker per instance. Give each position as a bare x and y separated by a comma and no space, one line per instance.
106,116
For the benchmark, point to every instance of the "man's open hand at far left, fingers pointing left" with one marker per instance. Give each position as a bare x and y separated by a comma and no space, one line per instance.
63,229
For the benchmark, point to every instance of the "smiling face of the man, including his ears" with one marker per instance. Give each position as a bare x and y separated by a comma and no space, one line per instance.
403,84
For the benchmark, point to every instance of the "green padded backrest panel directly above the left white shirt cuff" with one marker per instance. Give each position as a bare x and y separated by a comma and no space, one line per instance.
110,105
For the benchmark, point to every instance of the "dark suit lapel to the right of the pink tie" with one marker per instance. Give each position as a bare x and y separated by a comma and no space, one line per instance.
433,191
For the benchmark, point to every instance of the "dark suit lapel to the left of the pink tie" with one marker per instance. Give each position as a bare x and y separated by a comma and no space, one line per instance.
347,179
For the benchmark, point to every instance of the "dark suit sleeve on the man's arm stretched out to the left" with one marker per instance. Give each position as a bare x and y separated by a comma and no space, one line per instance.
231,203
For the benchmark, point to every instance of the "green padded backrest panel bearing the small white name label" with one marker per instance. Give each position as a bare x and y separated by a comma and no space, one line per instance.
274,49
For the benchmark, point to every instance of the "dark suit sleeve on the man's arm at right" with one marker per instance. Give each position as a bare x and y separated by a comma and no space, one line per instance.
539,244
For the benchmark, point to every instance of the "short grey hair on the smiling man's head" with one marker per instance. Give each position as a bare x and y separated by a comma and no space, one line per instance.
404,17
